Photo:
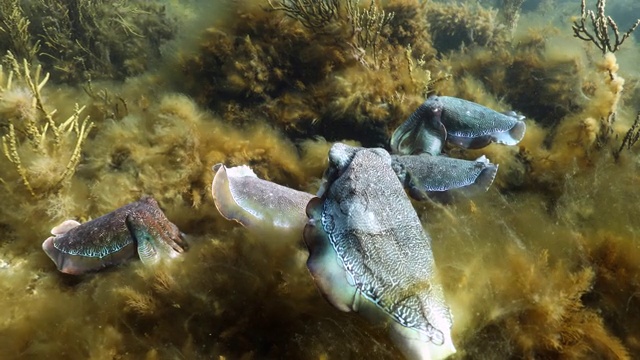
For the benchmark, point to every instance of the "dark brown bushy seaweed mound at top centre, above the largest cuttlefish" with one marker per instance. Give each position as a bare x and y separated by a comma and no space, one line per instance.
295,80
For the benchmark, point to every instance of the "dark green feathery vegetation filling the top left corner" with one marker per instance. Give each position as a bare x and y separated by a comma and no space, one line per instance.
83,40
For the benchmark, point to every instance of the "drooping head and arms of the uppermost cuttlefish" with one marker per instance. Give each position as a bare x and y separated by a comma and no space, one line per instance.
423,132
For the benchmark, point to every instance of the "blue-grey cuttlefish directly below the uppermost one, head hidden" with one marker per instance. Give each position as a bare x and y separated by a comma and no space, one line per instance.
424,175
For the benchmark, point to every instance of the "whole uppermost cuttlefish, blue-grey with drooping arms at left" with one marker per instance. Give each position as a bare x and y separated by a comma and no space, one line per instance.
460,122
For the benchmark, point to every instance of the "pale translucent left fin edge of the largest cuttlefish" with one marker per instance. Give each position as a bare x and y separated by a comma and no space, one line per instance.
323,263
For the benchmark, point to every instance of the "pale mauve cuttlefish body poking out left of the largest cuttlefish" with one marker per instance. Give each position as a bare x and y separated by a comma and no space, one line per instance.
256,203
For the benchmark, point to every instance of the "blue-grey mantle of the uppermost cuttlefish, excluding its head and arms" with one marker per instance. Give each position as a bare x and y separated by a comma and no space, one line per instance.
473,126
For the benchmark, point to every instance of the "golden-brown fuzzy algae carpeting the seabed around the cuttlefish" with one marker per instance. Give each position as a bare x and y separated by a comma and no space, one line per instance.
544,265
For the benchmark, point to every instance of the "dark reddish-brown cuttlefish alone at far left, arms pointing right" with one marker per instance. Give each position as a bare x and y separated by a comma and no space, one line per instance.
137,229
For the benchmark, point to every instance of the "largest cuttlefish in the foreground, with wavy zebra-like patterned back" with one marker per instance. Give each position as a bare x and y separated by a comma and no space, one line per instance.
369,253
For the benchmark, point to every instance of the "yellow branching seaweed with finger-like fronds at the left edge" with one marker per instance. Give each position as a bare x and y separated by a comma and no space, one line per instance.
32,130
